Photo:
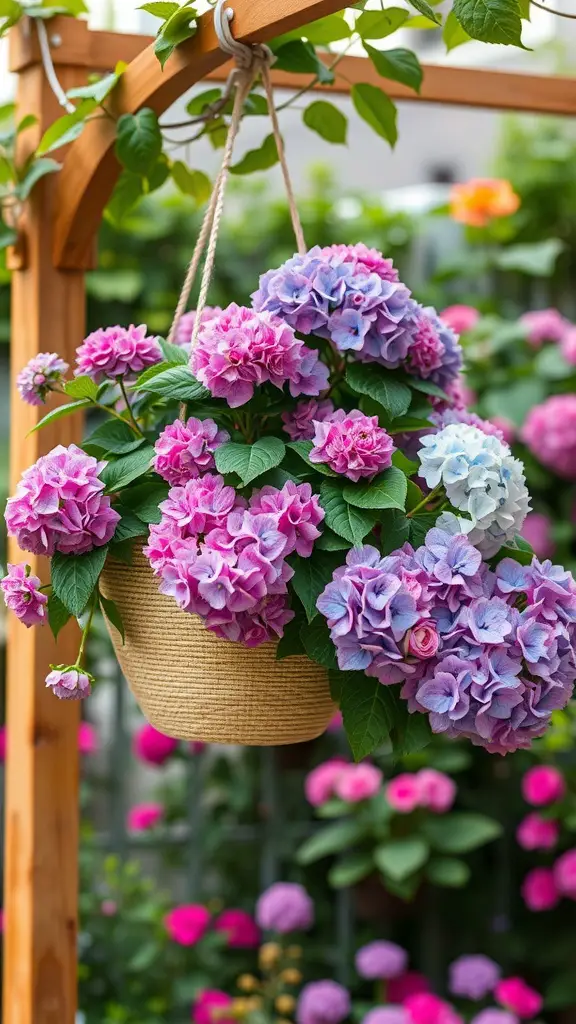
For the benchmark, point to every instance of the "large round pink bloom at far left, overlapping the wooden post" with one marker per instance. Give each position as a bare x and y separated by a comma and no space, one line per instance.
60,506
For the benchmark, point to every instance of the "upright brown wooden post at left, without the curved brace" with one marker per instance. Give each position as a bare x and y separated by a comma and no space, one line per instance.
43,808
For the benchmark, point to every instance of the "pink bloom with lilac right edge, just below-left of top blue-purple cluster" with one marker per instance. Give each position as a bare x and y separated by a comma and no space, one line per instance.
241,350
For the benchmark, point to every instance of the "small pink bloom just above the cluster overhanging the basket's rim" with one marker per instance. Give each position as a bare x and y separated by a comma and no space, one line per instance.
185,451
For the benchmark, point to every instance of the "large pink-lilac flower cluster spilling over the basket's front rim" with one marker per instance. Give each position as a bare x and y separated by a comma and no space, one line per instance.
227,563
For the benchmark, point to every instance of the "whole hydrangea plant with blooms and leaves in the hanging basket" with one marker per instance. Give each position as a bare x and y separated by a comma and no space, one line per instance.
309,475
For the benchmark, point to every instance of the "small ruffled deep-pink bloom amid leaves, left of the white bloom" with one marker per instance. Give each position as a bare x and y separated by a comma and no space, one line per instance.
353,445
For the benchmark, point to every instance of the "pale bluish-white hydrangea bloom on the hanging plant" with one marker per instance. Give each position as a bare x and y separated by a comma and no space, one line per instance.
482,479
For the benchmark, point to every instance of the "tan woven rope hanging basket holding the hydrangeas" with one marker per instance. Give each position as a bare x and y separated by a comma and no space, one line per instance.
193,686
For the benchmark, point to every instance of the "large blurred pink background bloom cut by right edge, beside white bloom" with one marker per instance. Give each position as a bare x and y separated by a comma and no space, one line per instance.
550,433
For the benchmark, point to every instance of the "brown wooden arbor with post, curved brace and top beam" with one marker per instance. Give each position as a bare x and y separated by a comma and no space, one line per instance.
57,247
